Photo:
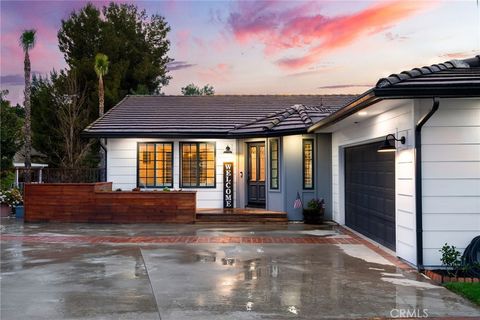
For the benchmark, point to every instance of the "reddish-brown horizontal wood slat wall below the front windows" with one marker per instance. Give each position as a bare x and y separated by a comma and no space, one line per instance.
96,202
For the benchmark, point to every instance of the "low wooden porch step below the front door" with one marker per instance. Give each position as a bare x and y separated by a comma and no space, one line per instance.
240,216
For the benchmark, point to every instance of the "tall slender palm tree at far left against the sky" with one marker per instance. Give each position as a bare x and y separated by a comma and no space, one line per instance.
27,42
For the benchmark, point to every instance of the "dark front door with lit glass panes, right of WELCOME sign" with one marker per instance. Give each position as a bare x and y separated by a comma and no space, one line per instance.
256,174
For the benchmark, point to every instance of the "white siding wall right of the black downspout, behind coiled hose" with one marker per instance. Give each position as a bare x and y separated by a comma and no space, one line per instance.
451,175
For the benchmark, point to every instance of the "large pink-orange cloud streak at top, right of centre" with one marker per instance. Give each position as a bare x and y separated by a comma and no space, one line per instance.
281,28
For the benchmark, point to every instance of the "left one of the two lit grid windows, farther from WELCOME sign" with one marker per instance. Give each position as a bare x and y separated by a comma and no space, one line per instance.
155,164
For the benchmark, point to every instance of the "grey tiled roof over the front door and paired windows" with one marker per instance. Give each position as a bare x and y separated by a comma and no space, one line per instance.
214,116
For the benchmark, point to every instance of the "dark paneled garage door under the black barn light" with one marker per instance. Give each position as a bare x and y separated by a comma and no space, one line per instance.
370,193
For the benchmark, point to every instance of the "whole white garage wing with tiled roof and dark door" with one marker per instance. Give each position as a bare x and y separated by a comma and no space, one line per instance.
427,191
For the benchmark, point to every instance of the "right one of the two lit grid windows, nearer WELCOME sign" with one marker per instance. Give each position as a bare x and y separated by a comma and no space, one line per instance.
197,164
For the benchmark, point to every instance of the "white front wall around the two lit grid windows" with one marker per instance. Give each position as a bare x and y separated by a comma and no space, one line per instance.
122,167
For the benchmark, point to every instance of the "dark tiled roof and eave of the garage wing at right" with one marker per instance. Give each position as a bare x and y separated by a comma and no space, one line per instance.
454,78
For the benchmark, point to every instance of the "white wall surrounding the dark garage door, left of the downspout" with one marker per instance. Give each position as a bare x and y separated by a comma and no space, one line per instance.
391,116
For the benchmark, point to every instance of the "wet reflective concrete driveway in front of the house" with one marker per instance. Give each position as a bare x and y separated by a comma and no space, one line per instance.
42,280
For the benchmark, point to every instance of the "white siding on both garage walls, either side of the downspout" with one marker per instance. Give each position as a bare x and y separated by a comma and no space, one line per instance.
450,168
